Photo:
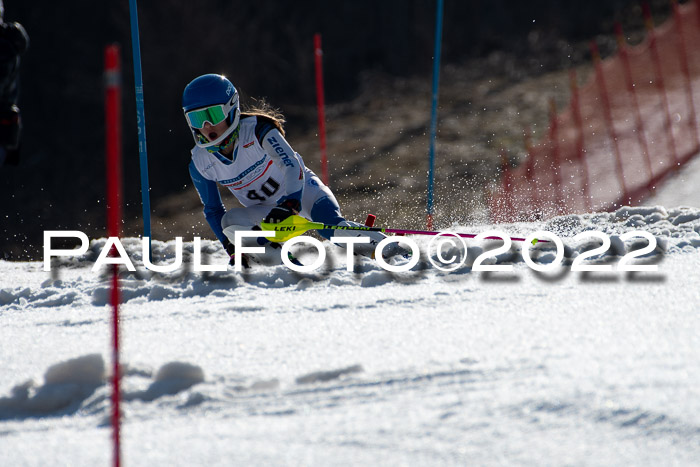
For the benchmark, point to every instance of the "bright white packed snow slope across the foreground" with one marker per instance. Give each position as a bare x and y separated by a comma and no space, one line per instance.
425,367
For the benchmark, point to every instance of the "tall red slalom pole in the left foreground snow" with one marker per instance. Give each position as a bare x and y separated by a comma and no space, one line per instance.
113,148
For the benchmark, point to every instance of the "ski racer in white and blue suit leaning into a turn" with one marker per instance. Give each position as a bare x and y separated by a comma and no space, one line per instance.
247,153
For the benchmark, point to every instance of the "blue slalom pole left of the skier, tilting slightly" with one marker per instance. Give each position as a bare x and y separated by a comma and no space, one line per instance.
141,122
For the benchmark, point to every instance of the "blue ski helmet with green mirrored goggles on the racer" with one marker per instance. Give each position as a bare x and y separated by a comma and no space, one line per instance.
211,98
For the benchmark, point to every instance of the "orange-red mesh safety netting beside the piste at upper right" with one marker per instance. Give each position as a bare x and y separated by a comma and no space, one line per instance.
629,127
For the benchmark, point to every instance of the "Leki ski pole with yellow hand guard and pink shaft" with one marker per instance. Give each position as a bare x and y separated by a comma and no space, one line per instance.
294,226
